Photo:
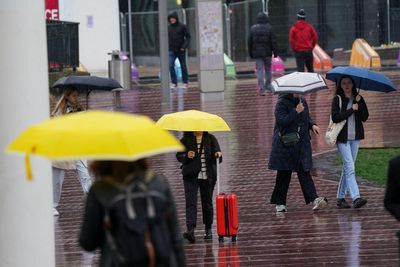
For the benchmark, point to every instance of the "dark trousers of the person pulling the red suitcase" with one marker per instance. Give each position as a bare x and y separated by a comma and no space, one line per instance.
206,191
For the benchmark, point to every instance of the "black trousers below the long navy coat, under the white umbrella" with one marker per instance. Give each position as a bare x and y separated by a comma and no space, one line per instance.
282,186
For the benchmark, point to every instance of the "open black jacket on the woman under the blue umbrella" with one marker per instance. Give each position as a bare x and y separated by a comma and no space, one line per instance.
339,115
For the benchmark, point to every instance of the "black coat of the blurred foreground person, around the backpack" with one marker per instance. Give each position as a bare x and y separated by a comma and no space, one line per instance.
92,235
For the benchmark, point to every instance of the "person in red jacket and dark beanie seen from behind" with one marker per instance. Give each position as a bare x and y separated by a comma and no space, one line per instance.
302,39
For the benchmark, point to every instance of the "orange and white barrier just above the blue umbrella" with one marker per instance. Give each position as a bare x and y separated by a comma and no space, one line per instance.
363,55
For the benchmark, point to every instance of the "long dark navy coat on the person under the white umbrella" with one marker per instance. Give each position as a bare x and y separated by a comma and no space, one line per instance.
287,120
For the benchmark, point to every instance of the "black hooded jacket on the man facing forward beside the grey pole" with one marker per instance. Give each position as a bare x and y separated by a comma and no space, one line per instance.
178,35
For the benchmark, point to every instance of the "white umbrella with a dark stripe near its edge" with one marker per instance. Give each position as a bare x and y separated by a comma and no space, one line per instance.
298,83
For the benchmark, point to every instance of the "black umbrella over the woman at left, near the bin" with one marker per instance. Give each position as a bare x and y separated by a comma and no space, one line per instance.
86,83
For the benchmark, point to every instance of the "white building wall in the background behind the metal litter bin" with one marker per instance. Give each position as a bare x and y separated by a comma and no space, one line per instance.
98,36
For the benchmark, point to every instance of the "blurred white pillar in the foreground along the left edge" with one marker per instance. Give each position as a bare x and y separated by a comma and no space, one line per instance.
26,223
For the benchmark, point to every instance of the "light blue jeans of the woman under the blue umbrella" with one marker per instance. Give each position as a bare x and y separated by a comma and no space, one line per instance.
348,152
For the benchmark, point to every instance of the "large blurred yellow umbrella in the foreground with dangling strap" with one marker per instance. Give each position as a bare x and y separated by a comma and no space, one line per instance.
99,135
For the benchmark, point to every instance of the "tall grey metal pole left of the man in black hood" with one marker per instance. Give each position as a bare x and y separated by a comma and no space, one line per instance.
164,64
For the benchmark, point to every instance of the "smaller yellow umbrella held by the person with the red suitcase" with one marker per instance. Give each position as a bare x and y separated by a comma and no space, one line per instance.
192,120
